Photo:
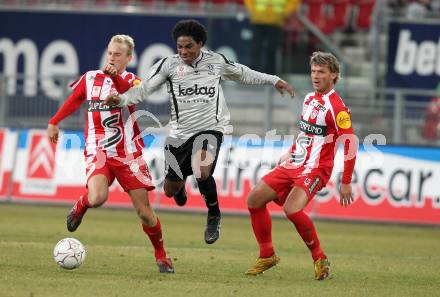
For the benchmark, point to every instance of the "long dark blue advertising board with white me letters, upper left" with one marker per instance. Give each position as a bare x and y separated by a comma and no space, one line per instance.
50,44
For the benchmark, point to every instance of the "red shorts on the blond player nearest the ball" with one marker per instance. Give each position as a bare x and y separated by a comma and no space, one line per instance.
131,173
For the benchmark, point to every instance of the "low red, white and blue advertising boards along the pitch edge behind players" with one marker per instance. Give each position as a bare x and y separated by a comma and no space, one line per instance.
391,183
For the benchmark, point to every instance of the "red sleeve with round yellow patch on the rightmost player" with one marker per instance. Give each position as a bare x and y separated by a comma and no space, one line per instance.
345,135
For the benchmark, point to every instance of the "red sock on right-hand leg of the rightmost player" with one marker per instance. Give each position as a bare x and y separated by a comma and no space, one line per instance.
307,231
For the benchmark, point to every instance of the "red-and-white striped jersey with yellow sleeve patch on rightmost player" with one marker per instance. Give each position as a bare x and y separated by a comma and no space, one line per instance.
324,121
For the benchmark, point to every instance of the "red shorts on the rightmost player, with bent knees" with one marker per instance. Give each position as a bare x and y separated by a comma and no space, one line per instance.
282,180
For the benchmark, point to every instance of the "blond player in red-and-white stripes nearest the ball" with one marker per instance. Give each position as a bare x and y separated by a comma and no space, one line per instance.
113,150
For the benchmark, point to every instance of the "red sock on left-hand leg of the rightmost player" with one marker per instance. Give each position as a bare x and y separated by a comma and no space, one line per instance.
262,226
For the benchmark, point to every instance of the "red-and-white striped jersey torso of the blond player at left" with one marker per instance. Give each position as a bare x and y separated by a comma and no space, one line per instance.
107,128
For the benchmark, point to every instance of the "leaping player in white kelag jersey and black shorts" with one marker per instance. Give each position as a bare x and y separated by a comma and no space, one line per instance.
199,115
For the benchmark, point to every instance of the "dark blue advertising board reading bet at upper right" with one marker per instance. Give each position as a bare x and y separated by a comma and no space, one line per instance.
413,55
